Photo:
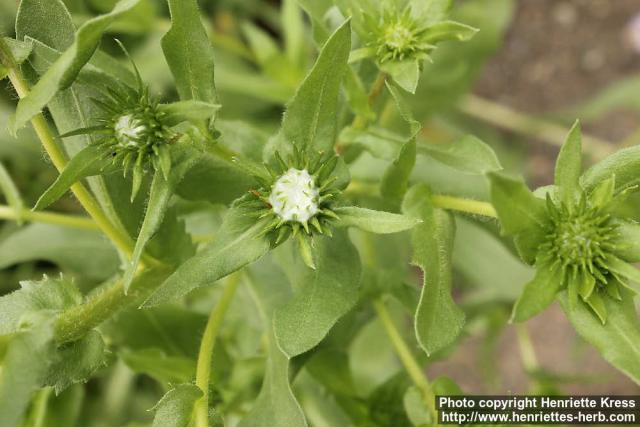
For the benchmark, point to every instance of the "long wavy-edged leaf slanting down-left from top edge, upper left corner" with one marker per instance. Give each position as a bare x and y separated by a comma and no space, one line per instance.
65,70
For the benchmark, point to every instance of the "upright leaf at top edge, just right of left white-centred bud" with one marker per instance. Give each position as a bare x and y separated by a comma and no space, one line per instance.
189,52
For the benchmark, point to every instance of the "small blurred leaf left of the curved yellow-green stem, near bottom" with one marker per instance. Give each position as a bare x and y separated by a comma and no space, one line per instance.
158,365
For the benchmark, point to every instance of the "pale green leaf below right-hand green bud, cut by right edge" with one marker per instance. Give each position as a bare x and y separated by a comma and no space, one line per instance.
618,341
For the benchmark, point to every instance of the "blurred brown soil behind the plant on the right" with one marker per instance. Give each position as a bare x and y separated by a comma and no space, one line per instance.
556,55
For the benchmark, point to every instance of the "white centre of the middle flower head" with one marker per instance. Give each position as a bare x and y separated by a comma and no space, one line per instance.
294,196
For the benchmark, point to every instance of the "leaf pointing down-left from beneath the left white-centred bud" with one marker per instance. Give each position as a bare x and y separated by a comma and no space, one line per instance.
88,162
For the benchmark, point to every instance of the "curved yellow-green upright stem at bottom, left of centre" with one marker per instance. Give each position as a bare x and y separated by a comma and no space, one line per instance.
203,369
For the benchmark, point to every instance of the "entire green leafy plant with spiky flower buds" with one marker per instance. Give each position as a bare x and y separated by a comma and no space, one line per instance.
257,268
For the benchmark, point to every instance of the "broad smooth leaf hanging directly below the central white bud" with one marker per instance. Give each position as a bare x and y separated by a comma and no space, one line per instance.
323,296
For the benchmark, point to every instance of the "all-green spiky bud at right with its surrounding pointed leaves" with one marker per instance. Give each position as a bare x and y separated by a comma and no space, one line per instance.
573,237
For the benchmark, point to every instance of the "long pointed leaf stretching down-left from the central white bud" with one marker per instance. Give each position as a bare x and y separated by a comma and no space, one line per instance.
240,242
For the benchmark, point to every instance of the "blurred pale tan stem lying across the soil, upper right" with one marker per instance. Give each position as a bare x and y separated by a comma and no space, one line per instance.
514,121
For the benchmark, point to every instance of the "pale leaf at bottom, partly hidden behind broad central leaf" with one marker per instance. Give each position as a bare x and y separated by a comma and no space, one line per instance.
276,404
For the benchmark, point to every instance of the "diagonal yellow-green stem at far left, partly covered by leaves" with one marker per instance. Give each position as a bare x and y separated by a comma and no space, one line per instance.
41,127
